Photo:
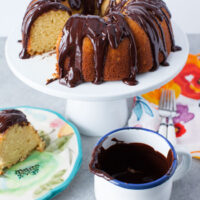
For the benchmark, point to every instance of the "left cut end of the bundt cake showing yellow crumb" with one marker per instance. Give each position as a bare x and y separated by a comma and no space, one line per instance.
42,23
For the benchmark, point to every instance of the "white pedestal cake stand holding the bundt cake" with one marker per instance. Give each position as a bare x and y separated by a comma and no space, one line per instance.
95,109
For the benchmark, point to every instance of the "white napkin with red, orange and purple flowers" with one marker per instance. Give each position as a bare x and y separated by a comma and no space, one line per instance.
187,122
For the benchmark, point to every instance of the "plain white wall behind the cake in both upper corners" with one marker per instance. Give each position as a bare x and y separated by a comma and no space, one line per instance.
186,13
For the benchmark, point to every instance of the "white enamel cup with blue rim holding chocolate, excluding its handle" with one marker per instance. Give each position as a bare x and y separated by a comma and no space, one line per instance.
133,163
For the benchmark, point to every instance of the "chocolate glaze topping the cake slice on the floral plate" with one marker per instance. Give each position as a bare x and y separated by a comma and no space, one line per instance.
9,118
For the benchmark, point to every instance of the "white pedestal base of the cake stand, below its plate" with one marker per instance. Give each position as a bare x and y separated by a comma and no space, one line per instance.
96,118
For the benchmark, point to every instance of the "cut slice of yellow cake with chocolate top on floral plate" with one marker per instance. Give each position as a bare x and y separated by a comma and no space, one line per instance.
18,138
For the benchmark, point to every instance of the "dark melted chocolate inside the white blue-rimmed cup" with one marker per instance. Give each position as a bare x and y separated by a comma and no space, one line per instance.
130,162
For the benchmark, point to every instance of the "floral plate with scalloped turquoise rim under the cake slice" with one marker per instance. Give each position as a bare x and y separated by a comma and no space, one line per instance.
43,175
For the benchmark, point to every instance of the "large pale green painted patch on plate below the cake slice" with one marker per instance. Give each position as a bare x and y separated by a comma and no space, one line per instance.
13,183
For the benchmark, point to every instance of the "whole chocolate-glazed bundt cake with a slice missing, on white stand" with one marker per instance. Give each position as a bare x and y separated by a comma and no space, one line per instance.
102,40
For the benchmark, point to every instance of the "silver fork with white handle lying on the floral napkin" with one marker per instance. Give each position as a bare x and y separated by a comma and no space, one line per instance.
167,110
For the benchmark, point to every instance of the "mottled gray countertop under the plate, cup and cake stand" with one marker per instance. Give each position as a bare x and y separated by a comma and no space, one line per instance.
15,93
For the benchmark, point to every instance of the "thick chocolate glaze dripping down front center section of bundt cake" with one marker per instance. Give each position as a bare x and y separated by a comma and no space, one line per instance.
101,33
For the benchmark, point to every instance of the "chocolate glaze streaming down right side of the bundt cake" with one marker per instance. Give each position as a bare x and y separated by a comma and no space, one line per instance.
147,14
